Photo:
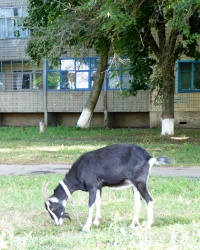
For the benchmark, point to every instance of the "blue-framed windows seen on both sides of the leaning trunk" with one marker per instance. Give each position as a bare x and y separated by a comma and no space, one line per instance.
79,74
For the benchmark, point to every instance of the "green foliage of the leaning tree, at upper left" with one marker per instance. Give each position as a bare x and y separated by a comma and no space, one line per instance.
58,26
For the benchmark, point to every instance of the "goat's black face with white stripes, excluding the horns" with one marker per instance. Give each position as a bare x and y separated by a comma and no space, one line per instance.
56,210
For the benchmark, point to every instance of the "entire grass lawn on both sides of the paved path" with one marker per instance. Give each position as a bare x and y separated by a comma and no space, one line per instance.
25,224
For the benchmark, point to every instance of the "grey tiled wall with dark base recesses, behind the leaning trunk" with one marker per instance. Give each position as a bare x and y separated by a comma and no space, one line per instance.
21,107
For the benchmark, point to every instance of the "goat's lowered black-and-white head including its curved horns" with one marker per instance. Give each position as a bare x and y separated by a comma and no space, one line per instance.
54,206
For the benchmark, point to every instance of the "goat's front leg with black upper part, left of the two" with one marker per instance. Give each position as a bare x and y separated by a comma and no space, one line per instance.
92,198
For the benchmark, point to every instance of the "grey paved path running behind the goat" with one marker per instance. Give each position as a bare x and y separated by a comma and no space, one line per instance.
63,168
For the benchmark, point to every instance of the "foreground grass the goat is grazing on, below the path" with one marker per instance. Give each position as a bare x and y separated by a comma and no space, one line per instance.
25,224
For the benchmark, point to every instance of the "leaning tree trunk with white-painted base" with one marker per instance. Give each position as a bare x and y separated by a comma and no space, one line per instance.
86,115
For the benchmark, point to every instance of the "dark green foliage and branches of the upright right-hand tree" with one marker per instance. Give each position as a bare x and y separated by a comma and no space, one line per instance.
149,32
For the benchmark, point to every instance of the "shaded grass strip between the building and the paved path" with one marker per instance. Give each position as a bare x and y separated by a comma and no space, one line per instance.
65,145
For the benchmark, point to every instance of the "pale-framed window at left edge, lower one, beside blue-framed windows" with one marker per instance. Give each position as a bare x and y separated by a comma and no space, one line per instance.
19,75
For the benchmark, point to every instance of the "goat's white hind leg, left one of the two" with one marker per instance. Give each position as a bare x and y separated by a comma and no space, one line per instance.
137,204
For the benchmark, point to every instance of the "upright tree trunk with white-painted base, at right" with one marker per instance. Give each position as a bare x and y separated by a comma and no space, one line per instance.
168,98
